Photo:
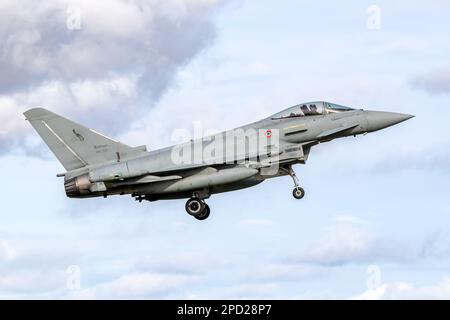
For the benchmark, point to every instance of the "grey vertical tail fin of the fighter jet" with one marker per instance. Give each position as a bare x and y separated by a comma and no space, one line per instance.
76,146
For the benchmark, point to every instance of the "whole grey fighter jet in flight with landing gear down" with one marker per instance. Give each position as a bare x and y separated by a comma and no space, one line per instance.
98,166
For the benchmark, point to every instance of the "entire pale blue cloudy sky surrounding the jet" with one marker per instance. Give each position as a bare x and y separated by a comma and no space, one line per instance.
375,221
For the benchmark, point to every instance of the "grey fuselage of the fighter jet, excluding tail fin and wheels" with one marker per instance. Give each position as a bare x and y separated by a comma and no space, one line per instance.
155,175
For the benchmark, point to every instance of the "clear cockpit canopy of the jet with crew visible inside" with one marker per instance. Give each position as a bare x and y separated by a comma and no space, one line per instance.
310,109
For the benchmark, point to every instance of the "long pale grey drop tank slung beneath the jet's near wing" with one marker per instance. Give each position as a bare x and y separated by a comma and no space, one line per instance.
204,179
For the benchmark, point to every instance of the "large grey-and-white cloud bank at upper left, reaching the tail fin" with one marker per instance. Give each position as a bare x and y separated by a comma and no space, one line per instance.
113,69
